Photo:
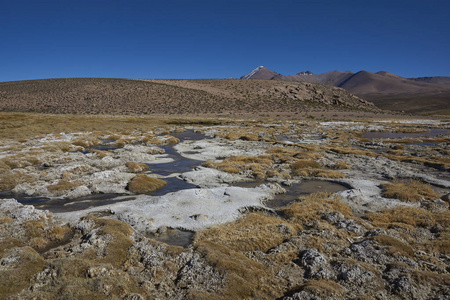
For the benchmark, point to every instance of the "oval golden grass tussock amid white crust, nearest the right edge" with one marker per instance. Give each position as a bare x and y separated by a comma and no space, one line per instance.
408,190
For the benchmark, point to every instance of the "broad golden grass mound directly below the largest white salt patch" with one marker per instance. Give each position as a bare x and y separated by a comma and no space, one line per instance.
254,232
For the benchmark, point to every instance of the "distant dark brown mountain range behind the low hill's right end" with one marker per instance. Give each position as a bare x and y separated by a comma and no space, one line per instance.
386,90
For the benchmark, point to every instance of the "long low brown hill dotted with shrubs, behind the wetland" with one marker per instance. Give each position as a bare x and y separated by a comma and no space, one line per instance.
215,96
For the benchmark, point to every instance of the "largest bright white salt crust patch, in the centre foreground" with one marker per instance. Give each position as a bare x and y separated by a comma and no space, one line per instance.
182,209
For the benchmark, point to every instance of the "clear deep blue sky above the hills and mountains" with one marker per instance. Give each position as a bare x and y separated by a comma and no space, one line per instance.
221,39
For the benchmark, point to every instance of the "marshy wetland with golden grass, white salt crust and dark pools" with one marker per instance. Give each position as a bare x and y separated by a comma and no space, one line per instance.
127,207
